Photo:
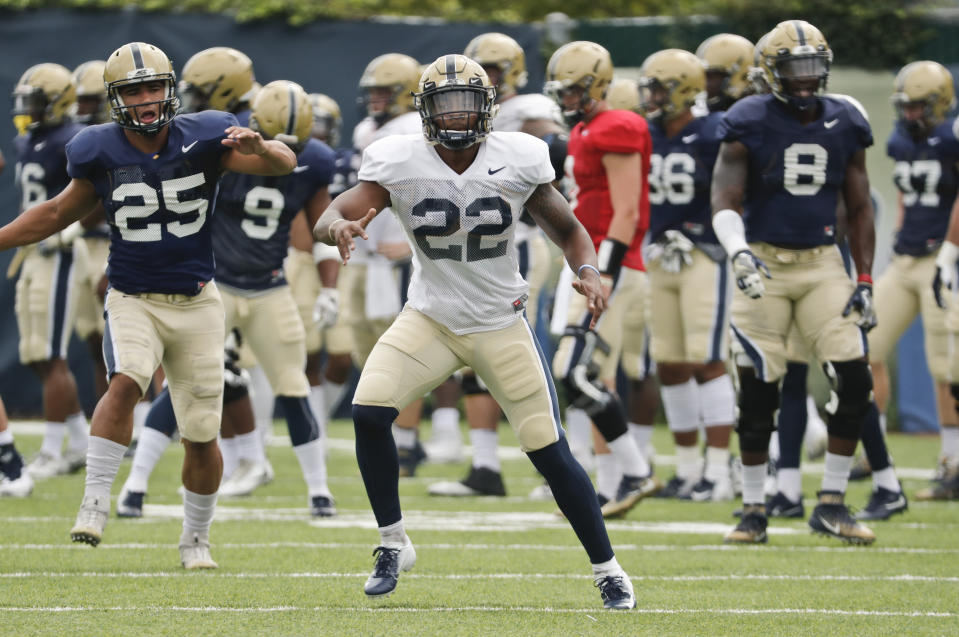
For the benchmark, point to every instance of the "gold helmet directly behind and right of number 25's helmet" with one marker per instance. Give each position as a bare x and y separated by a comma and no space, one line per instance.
219,78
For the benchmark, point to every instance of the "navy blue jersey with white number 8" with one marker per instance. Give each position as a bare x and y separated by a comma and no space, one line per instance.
796,171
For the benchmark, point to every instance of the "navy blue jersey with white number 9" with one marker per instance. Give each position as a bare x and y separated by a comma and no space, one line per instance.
251,230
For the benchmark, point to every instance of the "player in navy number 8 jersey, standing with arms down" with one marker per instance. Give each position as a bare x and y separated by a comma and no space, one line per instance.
785,160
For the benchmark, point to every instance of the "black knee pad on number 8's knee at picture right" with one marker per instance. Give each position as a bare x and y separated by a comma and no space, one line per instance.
849,398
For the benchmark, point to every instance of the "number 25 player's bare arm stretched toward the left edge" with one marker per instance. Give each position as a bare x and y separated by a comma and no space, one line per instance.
76,201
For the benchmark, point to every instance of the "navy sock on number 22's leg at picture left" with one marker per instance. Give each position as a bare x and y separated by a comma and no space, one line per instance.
376,456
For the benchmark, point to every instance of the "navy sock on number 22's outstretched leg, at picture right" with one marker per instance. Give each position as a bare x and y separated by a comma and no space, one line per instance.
575,496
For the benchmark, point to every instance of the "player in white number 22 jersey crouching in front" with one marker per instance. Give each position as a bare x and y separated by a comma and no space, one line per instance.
458,194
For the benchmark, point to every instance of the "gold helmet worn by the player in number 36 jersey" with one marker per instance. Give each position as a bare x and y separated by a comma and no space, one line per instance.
669,82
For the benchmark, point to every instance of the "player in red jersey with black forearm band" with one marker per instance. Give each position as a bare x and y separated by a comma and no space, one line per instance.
608,161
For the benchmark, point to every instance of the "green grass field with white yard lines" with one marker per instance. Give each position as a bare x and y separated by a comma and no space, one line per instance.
506,566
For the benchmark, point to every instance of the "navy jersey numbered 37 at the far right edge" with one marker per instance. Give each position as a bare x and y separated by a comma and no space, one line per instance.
926,175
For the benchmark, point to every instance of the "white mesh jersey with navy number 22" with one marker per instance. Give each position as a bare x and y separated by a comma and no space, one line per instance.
465,268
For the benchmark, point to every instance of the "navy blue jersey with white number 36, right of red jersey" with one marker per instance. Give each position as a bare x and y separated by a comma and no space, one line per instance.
680,174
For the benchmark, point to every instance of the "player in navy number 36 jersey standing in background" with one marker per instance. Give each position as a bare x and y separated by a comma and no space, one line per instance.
690,285
